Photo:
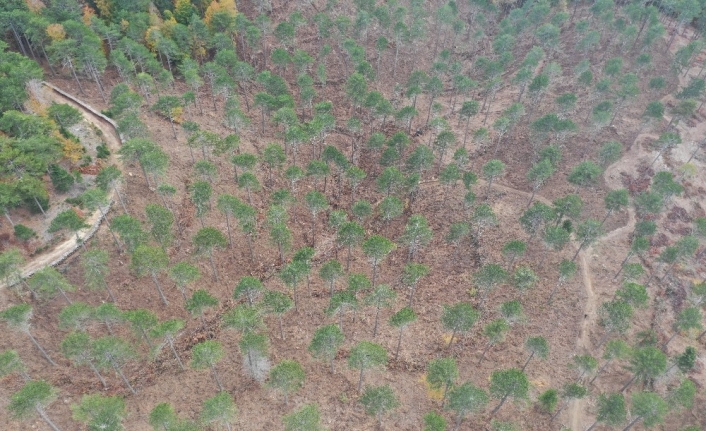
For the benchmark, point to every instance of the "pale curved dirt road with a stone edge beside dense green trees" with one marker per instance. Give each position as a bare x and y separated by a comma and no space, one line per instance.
66,248
